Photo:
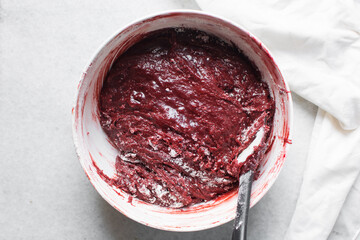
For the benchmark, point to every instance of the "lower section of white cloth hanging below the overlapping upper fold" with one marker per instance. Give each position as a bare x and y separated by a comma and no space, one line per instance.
331,170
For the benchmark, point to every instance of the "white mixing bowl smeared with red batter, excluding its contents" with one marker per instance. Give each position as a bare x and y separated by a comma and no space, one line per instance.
96,153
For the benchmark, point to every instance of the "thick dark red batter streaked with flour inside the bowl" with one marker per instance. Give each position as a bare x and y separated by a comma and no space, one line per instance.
180,106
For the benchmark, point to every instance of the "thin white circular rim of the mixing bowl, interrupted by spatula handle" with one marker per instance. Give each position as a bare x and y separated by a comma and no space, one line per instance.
163,14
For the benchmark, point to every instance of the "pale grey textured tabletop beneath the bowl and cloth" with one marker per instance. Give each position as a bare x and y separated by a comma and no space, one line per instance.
44,193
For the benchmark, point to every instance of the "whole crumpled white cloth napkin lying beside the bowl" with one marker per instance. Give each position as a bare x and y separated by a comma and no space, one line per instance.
317,47
